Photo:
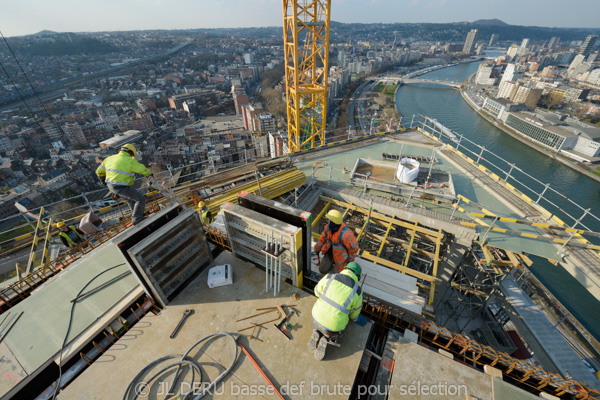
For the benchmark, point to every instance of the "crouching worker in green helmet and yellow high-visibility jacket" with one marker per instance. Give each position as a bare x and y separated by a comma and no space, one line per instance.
339,300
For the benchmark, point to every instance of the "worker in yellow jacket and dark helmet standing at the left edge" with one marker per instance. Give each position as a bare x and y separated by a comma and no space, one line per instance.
118,171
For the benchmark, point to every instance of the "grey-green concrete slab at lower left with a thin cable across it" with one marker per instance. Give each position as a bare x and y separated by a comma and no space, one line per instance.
36,338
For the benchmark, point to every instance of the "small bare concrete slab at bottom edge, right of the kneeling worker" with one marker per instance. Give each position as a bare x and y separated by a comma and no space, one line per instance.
420,373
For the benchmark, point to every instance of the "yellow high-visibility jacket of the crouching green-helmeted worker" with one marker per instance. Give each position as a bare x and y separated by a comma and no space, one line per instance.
340,299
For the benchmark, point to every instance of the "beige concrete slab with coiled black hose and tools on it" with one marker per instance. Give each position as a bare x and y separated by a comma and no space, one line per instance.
287,362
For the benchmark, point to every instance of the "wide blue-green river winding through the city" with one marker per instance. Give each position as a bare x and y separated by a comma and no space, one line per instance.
447,106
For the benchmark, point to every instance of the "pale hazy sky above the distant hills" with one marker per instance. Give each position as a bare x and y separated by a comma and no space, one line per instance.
31,16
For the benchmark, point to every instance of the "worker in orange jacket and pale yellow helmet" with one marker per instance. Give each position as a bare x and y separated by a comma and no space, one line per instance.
337,243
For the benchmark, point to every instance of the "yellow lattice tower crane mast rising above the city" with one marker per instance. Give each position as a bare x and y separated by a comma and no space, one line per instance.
306,47
